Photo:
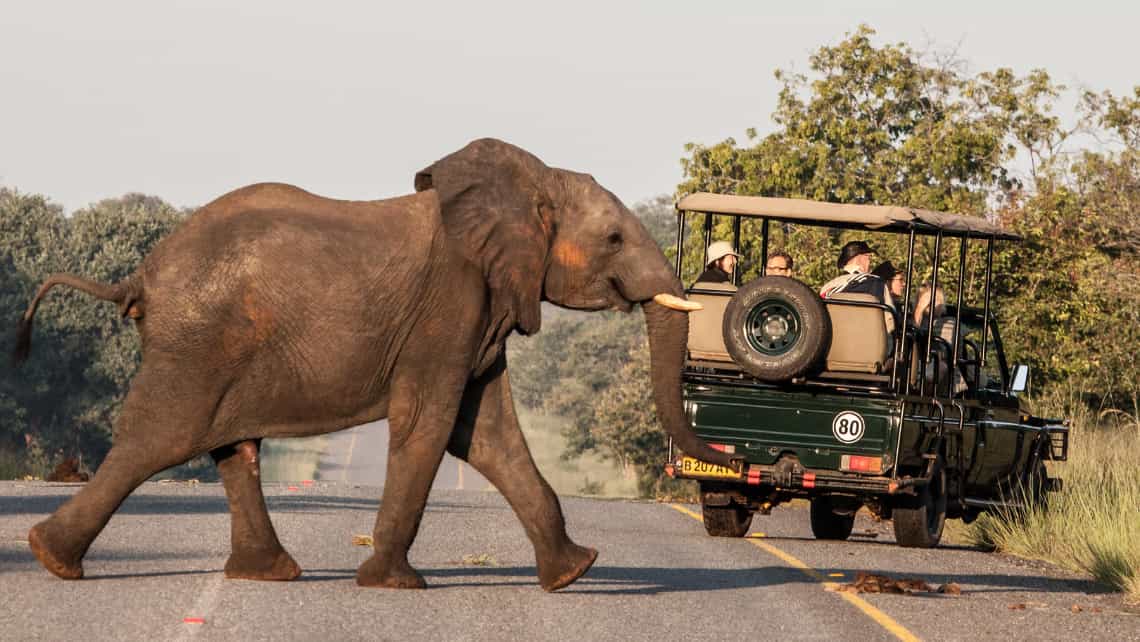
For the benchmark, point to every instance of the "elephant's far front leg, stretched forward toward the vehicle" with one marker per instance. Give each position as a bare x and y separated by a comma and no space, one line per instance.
487,436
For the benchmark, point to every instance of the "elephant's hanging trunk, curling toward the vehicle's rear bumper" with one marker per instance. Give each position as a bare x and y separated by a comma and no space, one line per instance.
669,334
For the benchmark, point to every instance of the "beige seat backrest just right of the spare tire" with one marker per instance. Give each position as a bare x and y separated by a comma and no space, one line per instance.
860,342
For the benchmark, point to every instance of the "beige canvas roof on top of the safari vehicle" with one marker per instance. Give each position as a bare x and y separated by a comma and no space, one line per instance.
876,218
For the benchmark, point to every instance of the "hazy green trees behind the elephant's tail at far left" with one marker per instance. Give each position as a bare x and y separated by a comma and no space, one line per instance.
66,397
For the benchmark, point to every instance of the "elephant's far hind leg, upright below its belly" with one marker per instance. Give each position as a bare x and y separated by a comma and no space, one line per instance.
256,554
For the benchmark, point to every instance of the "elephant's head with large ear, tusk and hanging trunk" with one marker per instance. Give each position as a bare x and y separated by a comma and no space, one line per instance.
541,233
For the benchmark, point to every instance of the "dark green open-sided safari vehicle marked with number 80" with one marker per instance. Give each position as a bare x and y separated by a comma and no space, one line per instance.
824,402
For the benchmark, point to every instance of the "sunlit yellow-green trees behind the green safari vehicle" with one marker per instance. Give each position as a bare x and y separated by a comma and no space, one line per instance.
885,125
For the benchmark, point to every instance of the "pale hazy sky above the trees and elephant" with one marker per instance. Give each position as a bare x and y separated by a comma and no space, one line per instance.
186,101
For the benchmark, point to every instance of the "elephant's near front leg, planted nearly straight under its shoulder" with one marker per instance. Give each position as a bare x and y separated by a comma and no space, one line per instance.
419,437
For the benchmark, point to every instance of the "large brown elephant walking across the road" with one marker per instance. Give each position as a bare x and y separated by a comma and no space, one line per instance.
274,313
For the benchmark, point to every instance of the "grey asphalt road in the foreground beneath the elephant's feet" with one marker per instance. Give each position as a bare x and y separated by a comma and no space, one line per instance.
160,560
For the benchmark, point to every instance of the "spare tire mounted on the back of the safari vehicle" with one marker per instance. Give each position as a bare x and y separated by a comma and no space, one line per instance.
777,329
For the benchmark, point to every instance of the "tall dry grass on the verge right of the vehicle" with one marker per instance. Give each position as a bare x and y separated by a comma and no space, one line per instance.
1094,526
